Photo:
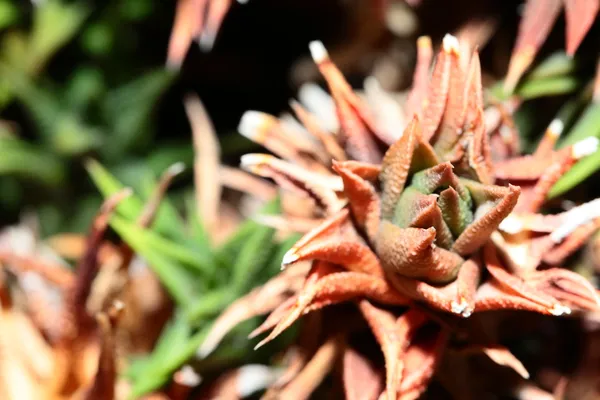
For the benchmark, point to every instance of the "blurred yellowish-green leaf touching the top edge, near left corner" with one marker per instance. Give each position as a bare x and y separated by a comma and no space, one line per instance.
55,22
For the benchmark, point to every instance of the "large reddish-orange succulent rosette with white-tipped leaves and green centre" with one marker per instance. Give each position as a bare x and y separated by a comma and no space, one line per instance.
415,226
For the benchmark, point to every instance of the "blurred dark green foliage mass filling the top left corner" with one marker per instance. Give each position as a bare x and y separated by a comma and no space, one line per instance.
104,112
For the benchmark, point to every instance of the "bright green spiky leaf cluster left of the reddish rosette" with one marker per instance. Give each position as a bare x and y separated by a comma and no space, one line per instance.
201,278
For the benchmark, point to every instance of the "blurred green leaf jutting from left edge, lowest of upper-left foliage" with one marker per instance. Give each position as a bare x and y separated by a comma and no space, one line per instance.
25,160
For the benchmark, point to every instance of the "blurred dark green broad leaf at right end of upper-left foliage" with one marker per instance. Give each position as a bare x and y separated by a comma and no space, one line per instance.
128,111
